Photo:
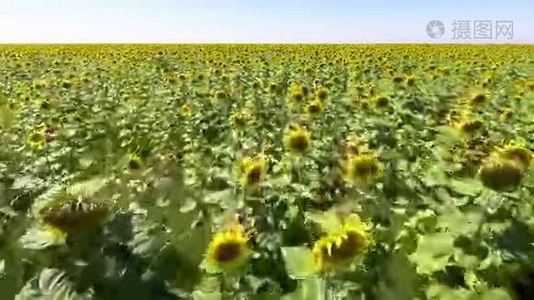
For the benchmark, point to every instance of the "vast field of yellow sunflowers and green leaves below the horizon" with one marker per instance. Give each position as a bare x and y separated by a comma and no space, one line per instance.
289,172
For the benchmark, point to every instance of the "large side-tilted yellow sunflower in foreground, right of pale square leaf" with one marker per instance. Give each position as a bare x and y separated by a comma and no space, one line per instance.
338,249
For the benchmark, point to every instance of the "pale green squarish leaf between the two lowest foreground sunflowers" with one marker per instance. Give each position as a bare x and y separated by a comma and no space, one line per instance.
299,262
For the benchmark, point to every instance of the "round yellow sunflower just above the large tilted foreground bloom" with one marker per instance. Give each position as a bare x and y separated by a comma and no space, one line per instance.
362,169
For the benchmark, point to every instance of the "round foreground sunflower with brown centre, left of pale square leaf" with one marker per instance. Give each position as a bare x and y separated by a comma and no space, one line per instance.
228,250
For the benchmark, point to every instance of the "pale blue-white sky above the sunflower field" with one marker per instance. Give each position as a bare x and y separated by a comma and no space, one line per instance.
189,21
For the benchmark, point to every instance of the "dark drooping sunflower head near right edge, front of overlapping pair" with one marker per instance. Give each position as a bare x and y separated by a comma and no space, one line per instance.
500,174
